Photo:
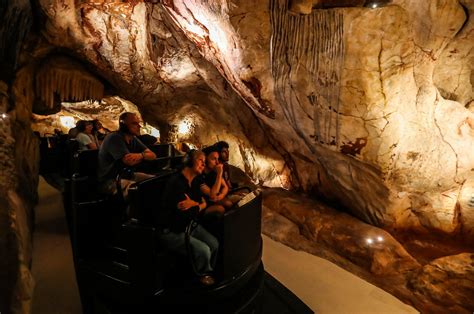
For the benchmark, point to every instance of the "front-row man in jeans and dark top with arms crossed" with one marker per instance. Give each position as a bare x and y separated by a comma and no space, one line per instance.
183,201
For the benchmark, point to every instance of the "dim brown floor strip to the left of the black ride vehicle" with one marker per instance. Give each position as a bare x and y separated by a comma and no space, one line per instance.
53,270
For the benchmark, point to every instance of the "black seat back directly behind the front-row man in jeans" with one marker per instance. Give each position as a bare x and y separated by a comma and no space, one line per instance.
145,197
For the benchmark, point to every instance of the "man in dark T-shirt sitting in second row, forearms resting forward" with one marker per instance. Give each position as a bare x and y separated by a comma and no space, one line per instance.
121,149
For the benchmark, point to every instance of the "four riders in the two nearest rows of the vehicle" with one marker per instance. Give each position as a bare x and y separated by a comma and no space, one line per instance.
200,189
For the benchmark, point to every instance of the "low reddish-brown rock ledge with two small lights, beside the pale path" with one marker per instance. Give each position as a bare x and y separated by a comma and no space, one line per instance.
432,285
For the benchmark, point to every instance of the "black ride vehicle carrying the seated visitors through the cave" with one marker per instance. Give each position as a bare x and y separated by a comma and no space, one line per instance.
121,266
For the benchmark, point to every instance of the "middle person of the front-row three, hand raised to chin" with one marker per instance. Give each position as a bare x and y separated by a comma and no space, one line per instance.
214,186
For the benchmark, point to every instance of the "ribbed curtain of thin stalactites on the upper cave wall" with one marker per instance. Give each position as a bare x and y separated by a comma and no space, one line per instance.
314,41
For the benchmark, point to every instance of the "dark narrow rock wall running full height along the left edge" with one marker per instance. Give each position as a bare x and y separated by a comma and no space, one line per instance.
19,155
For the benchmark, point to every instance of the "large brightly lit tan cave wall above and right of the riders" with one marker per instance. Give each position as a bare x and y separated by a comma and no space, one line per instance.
380,123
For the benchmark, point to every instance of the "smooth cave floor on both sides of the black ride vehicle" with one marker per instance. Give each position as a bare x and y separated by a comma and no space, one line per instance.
323,286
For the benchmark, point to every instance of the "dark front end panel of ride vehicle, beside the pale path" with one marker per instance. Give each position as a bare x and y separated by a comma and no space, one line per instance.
242,241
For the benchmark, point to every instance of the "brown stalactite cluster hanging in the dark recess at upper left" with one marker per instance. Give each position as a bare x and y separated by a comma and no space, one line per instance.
68,80
